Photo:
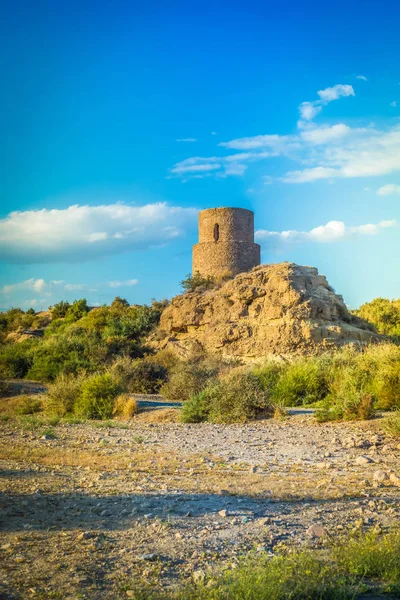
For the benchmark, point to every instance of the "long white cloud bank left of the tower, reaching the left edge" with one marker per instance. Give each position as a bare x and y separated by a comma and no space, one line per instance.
81,233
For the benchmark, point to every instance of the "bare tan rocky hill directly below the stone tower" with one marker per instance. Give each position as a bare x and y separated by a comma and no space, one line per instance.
281,309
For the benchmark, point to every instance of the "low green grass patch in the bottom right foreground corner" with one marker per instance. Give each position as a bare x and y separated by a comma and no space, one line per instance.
343,571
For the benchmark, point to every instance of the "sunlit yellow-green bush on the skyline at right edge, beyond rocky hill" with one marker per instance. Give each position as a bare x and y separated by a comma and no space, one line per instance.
383,314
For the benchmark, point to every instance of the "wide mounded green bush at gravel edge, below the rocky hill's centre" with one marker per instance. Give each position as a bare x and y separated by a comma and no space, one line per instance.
236,398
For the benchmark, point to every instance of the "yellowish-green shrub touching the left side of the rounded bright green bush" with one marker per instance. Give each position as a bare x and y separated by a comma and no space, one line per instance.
63,394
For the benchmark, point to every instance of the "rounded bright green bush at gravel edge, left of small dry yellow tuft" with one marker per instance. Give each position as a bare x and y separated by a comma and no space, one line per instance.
97,397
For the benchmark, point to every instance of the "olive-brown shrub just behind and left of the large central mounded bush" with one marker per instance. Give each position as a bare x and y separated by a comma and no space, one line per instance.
187,379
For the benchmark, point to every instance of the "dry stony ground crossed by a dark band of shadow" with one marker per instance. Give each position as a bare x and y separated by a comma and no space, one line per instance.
89,511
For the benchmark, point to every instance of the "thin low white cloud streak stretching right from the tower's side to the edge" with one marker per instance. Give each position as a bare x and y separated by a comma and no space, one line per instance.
331,232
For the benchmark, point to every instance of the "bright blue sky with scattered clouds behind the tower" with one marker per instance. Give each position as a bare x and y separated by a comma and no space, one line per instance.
119,121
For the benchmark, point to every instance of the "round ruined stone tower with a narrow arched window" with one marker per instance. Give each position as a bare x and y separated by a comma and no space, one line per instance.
226,242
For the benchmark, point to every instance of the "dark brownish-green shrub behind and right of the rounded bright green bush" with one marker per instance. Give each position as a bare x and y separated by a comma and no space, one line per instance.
141,376
